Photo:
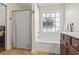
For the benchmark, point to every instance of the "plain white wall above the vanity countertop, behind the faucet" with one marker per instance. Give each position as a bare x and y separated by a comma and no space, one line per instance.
72,15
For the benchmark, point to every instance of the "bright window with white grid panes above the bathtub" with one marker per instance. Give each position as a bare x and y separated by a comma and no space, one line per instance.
51,21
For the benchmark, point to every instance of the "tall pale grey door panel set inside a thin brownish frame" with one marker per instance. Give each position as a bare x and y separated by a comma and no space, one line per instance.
22,29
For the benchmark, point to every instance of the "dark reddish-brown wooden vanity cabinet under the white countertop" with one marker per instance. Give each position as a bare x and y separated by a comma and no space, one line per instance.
69,45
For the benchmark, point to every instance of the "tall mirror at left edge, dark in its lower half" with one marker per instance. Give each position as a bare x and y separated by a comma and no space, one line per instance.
3,25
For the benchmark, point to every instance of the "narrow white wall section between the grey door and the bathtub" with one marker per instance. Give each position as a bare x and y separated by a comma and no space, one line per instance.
35,26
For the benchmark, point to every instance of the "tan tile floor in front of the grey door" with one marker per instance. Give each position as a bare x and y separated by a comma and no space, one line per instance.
21,52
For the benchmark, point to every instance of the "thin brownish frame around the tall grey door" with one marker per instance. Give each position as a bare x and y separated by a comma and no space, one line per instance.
30,26
